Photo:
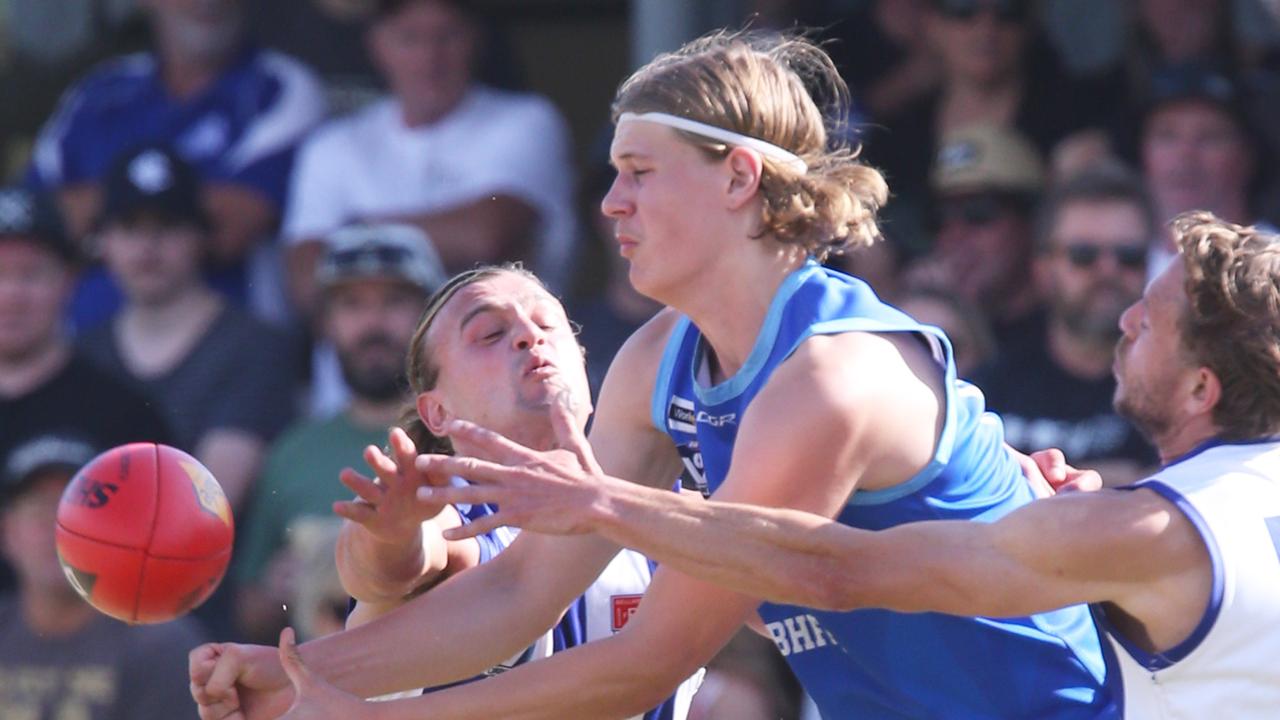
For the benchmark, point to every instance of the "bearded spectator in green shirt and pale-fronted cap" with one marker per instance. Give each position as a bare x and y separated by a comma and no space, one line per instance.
374,281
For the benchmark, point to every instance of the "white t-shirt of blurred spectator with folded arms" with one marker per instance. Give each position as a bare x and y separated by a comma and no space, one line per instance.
496,143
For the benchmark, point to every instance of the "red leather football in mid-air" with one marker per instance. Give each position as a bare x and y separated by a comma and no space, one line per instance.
145,532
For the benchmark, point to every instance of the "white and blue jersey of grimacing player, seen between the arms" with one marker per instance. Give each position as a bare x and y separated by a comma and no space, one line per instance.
601,612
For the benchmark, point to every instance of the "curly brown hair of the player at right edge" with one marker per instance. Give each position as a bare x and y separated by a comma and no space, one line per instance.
1232,321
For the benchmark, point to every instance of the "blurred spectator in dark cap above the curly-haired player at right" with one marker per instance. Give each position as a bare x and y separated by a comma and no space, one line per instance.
1199,151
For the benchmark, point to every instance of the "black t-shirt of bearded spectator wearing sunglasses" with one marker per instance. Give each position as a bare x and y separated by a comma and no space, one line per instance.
1043,405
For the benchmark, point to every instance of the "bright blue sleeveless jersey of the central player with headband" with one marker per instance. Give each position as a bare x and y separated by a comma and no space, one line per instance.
876,664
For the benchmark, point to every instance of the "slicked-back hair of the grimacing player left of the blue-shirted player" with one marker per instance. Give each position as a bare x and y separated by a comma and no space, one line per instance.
422,371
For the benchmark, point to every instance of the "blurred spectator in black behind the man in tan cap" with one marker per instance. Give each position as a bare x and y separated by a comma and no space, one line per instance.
995,71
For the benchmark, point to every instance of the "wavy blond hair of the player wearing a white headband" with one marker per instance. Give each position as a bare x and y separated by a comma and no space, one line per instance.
765,86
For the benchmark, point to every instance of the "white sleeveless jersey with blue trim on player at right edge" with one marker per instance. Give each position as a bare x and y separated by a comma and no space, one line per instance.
1231,664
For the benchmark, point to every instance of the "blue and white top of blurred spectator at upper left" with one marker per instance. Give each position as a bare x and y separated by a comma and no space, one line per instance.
243,130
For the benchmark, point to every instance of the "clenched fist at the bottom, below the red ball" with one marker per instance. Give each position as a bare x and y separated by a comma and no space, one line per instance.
237,682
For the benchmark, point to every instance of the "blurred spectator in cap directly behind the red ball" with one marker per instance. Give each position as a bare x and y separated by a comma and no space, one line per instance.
60,658
